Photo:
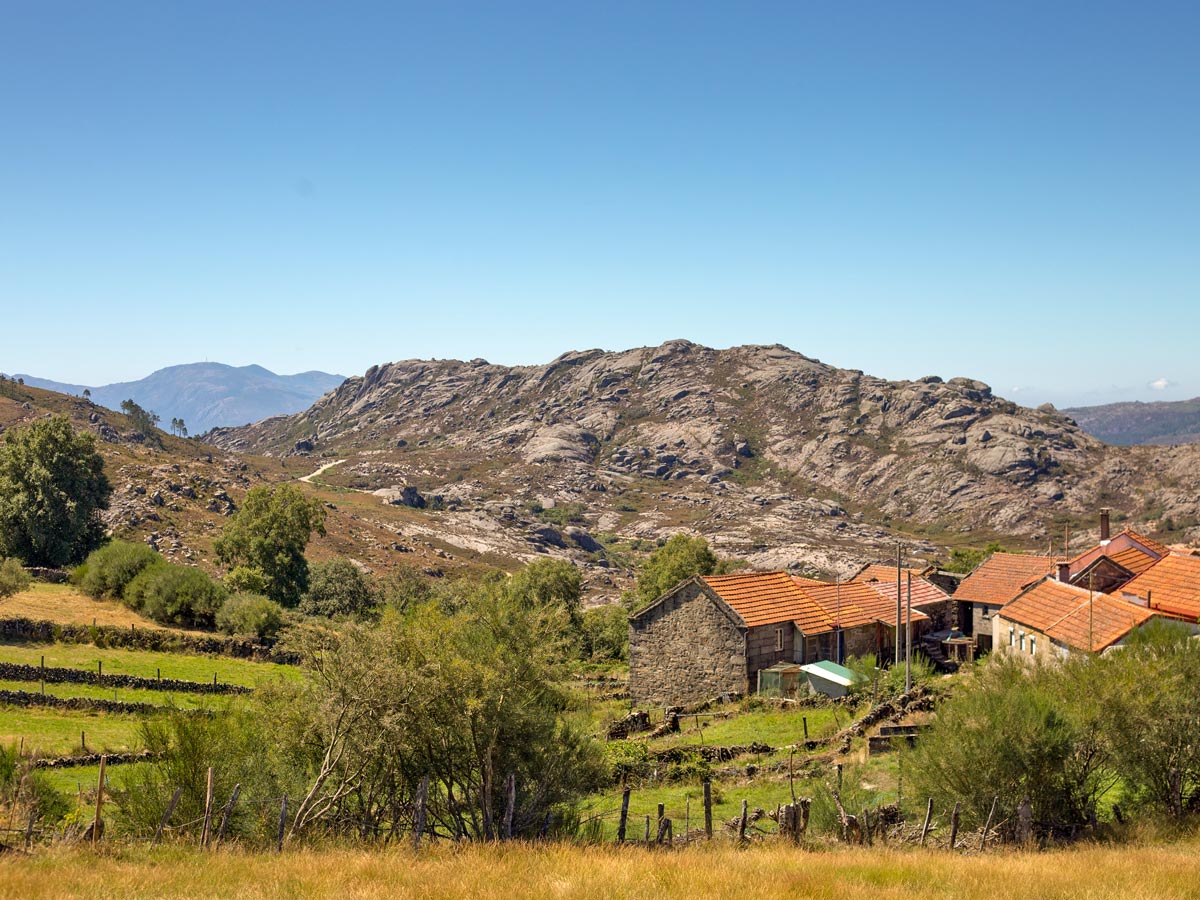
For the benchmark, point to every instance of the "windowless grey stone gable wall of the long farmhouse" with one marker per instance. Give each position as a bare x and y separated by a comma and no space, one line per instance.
686,650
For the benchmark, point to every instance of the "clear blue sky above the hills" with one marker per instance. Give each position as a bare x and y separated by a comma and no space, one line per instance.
1006,190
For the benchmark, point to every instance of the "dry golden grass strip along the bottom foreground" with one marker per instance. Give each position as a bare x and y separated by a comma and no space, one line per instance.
569,872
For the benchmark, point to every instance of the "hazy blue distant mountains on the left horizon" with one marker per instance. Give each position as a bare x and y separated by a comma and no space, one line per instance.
208,395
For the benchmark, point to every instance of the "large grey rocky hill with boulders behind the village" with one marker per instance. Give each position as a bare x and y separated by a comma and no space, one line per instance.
776,458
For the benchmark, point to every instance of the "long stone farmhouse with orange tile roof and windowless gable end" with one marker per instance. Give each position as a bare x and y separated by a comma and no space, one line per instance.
711,637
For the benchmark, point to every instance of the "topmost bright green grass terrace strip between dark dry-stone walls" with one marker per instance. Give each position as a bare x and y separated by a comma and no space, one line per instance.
189,668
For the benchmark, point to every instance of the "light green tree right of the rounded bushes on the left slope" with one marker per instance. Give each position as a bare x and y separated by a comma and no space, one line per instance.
269,533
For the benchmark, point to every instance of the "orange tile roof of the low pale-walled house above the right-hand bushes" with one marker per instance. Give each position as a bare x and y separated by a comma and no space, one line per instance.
1061,613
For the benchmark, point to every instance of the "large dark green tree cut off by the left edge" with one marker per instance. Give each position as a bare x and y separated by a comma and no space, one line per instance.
52,490
